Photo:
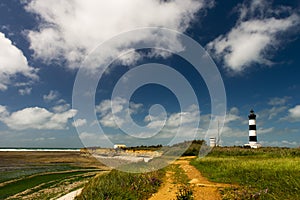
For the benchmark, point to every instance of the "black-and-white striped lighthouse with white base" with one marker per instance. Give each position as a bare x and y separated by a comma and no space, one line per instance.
252,131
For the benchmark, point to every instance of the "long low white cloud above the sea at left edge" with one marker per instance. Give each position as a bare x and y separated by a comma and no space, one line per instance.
35,118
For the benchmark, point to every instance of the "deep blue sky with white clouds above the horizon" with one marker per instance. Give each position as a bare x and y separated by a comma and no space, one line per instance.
254,46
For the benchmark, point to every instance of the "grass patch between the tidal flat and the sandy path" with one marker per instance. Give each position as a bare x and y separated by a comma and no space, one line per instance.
121,185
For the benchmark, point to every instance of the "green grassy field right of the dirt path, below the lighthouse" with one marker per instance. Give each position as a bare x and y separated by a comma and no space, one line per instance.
266,173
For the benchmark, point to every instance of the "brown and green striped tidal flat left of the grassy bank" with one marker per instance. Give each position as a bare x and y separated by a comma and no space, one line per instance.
44,175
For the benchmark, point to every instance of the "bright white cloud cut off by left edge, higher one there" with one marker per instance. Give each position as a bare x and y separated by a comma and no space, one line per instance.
13,63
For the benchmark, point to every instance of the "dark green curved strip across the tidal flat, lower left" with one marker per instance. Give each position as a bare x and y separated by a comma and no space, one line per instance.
33,181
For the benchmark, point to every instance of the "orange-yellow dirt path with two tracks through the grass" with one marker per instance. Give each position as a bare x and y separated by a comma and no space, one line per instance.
202,188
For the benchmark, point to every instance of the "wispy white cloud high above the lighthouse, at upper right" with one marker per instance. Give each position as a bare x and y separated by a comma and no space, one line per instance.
257,31
